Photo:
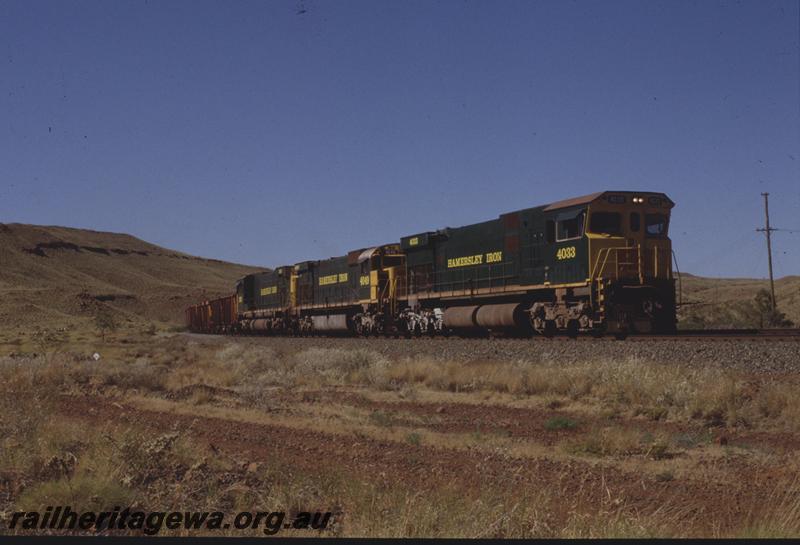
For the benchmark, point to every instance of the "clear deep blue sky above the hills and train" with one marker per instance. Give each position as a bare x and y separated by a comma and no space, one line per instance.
269,132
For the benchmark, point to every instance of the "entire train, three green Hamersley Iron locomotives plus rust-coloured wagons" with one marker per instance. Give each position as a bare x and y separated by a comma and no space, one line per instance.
600,263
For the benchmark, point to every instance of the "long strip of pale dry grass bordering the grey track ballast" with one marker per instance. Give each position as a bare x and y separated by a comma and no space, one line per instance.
710,395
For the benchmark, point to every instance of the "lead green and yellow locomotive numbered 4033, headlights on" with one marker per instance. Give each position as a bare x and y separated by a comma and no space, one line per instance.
596,263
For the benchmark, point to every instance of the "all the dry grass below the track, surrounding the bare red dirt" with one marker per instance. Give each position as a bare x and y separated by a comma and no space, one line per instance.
56,461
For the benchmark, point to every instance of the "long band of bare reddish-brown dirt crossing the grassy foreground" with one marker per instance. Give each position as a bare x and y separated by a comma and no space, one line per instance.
425,467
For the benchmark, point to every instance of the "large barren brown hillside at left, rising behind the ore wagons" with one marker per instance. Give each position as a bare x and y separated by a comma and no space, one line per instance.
55,276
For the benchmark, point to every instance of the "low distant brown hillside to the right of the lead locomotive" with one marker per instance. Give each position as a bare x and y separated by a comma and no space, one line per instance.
730,302
